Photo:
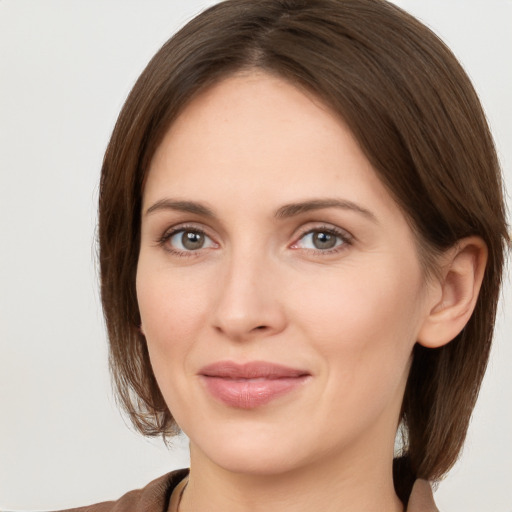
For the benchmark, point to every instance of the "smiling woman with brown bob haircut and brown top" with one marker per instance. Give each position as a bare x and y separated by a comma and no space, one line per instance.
301,244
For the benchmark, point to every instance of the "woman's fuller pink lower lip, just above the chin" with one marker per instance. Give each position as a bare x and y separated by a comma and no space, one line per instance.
251,393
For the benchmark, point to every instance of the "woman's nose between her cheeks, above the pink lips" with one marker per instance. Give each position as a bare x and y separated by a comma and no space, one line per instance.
249,301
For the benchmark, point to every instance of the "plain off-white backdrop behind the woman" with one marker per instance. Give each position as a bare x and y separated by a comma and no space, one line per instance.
66,67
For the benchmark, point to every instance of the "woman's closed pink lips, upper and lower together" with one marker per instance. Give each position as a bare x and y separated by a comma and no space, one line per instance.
250,385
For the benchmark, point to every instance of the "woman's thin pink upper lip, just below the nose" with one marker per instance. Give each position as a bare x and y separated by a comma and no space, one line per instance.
250,370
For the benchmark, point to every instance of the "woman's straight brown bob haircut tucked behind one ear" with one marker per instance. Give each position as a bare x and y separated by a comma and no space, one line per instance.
417,118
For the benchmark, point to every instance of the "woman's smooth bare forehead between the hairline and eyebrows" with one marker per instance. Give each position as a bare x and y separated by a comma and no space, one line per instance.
254,136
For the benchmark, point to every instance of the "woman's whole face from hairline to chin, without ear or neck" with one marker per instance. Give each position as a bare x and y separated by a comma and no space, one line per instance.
278,282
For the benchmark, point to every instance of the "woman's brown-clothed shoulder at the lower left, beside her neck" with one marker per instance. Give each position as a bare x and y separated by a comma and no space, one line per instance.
154,497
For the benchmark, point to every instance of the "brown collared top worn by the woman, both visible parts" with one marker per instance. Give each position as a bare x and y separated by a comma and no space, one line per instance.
156,496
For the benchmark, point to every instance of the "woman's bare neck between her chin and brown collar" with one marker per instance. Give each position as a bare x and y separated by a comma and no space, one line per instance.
330,486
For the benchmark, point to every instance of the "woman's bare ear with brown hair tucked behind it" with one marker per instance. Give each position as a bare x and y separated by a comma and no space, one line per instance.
456,292
